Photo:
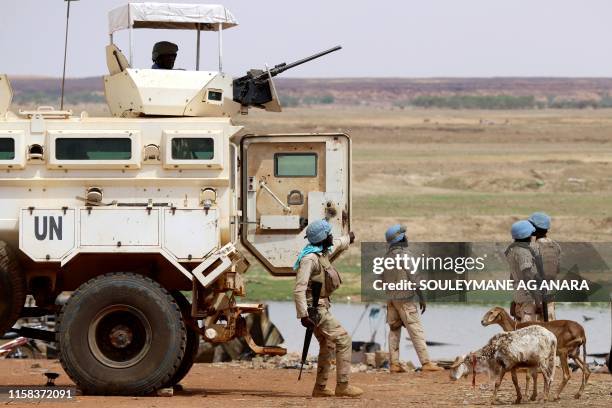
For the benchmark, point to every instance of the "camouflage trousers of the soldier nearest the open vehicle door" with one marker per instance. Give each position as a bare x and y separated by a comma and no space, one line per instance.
331,335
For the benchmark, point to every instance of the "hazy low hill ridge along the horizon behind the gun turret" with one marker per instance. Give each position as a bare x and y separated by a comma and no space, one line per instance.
460,93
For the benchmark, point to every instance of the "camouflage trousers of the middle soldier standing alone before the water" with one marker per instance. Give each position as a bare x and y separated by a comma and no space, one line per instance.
402,313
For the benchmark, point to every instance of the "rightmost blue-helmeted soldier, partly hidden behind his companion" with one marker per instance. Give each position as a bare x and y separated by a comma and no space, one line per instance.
548,249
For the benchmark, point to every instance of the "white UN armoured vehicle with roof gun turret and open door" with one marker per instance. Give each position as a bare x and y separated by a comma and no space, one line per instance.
132,211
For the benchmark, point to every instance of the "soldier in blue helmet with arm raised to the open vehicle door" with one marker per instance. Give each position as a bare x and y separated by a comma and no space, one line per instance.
313,265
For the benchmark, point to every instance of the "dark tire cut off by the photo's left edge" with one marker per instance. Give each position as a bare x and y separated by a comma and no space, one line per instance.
12,288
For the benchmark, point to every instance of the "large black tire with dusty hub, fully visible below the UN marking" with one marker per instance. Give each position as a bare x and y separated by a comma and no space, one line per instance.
121,334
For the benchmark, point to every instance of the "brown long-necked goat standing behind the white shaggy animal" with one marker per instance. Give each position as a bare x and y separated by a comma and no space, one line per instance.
570,336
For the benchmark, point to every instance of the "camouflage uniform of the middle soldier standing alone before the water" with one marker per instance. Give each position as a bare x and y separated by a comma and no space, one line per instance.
403,310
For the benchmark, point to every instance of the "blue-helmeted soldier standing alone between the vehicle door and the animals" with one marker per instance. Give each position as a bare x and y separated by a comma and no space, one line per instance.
402,306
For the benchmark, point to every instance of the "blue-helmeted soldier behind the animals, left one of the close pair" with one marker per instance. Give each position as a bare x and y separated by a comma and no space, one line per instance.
521,259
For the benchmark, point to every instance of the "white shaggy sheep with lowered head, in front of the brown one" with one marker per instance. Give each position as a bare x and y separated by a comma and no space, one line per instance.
533,347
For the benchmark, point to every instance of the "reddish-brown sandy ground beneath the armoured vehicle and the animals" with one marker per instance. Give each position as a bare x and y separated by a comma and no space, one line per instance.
228,385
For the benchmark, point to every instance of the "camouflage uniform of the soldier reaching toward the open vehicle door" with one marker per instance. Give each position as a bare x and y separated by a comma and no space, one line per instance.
329,332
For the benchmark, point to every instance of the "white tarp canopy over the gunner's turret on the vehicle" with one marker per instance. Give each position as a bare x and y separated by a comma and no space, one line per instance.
170,16
